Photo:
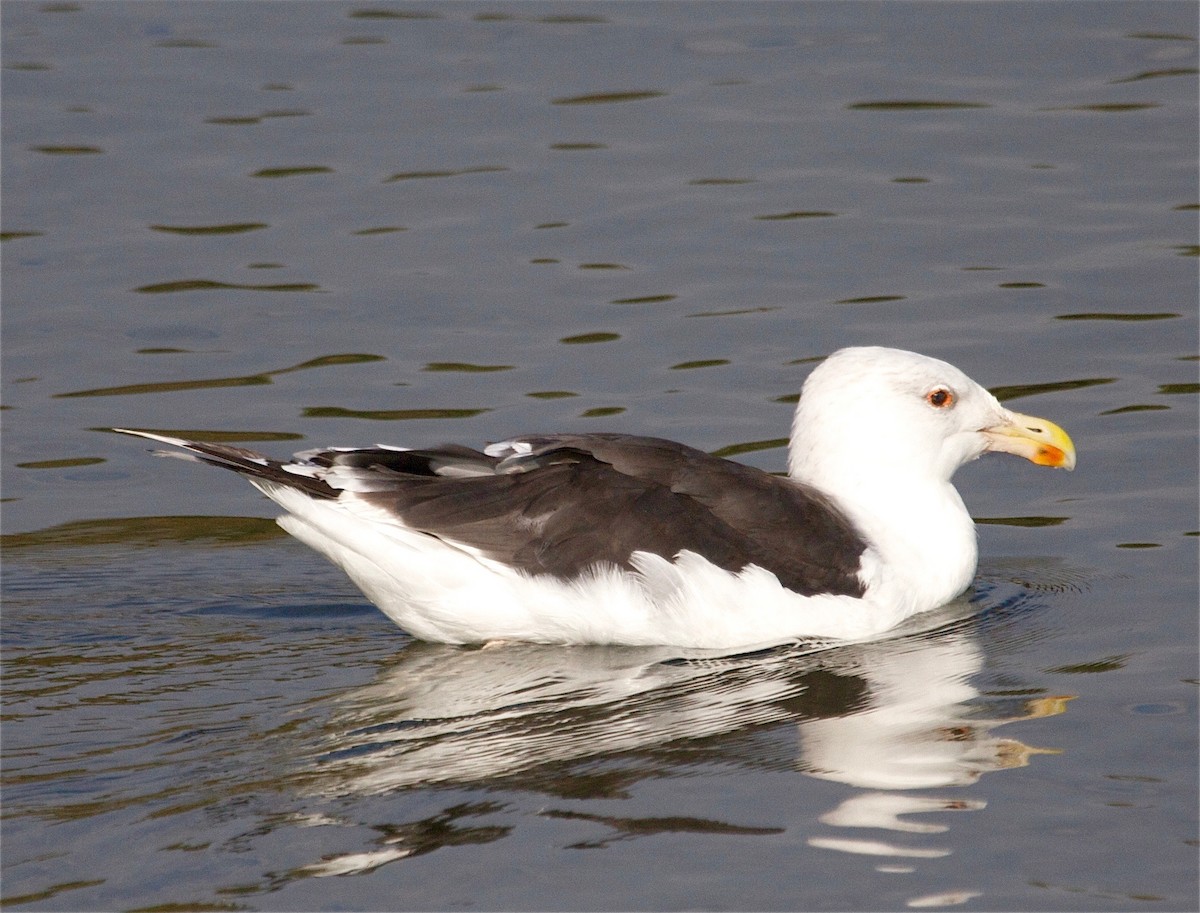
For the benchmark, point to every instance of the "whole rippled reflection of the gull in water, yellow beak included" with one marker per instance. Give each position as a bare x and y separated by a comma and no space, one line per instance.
886,718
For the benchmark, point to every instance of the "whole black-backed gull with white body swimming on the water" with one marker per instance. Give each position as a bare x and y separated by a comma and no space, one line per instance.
614,539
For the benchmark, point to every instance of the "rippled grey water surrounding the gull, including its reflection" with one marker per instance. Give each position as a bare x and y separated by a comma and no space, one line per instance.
309,224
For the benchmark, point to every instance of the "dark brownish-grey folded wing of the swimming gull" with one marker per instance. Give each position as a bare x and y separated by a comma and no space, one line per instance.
560,504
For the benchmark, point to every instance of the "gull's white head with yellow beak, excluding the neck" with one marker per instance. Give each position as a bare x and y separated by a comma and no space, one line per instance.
877,413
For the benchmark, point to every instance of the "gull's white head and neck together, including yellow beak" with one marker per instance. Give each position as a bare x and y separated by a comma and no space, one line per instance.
881,433
